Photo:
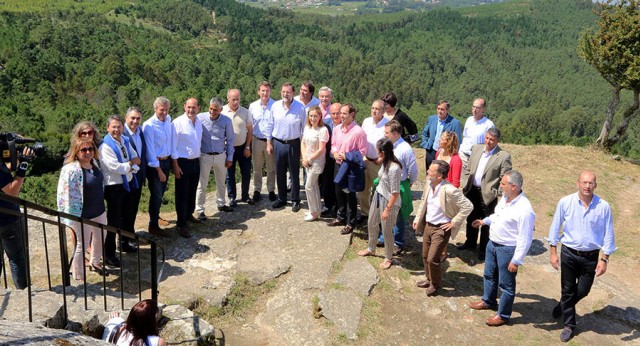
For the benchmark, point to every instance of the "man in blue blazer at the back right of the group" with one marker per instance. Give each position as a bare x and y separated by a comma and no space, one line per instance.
436,124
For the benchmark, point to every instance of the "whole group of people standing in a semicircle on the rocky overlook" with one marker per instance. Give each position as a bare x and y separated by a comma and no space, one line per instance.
352,172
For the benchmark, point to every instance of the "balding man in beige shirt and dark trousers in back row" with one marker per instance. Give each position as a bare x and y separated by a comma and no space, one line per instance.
243,134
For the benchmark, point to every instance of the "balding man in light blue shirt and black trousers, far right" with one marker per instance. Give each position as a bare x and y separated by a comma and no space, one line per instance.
587,228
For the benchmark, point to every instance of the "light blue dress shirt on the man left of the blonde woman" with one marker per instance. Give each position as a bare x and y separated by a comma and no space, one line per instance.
288,123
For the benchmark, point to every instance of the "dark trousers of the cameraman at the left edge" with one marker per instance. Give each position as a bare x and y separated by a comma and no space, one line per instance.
12,243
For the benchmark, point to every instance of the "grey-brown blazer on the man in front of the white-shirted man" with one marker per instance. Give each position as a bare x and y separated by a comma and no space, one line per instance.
499,163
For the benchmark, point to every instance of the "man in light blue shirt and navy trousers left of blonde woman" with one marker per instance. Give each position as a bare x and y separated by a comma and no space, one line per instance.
288,124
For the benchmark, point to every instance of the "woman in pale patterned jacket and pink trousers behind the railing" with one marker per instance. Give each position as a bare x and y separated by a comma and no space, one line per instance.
81,193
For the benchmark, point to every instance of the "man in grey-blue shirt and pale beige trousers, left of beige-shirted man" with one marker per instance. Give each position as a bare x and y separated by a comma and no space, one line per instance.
217,150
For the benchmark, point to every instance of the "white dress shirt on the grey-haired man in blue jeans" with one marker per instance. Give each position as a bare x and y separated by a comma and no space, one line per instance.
512,225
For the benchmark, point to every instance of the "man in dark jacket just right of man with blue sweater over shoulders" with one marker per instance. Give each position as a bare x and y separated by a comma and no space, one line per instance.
136,138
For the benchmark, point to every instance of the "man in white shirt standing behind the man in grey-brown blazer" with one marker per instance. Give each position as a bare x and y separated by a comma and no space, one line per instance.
475,128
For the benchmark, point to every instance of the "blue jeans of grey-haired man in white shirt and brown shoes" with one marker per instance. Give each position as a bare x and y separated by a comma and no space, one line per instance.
497,274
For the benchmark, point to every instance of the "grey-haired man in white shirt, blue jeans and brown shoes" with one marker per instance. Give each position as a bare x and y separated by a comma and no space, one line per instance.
510,238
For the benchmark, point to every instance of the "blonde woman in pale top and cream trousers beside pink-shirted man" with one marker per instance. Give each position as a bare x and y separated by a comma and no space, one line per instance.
314,140
